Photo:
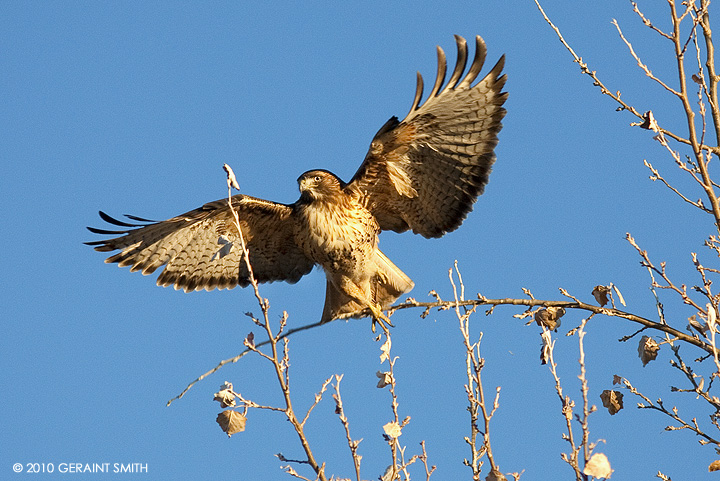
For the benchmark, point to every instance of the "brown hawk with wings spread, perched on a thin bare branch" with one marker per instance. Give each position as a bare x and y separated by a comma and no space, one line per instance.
422,174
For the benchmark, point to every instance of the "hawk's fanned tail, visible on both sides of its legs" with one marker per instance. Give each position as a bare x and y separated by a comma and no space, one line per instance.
384,287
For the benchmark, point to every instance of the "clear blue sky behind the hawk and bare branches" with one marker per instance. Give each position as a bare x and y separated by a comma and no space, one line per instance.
134,107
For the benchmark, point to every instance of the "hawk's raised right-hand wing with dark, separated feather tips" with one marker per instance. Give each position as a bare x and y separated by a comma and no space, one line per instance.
425,172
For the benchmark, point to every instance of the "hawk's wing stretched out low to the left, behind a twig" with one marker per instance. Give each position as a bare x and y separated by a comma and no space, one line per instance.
201,248
